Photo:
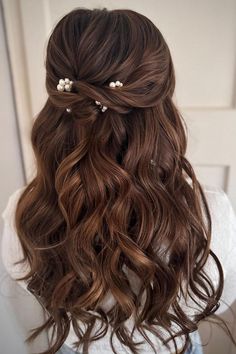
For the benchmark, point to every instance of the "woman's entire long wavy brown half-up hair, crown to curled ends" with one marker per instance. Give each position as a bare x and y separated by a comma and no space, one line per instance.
113,191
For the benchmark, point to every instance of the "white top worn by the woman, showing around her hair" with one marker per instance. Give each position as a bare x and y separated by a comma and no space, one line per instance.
223,244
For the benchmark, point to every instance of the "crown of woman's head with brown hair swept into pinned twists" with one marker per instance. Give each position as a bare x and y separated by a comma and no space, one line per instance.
94,47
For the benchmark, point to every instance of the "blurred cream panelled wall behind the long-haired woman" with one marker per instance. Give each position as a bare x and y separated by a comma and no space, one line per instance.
202,39
